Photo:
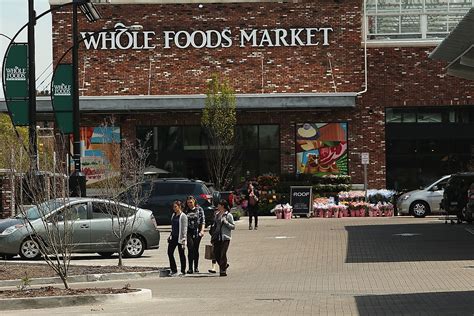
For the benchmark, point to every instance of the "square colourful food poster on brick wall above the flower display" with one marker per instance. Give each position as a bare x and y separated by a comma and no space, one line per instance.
321,148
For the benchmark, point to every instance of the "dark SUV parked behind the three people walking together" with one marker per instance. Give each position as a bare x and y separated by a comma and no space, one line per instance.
167,190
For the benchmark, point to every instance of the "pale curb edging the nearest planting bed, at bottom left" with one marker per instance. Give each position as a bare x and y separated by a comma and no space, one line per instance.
60,301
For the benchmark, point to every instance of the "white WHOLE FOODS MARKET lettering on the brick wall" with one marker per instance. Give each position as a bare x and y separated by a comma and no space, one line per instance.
122,38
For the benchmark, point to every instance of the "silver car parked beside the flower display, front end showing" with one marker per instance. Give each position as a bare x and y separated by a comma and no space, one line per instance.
422,202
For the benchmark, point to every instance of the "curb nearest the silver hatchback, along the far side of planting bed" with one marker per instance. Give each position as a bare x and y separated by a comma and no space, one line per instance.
86,278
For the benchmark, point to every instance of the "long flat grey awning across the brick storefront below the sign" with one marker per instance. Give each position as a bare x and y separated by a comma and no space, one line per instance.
276,101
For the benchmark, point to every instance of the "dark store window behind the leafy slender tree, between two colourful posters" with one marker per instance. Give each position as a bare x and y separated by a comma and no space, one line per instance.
182,150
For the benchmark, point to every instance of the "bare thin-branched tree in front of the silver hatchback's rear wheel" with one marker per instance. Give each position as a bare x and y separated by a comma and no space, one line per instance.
125,185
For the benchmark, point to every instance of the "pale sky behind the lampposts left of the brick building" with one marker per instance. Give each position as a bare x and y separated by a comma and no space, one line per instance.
13,15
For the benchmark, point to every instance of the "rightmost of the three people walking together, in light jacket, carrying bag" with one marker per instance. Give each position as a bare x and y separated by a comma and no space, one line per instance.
222,234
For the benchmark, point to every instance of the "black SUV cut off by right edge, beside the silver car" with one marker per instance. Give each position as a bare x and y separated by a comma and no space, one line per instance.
455,193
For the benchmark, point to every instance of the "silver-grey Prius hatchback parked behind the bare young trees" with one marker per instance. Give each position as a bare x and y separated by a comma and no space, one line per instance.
93,225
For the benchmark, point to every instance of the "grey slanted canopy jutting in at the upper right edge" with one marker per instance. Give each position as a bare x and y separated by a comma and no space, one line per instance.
458,49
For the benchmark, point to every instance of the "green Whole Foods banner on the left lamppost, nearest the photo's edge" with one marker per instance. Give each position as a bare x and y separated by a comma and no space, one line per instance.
15,77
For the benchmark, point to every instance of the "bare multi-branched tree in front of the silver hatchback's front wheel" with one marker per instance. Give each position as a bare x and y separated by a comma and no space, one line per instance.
50,233
